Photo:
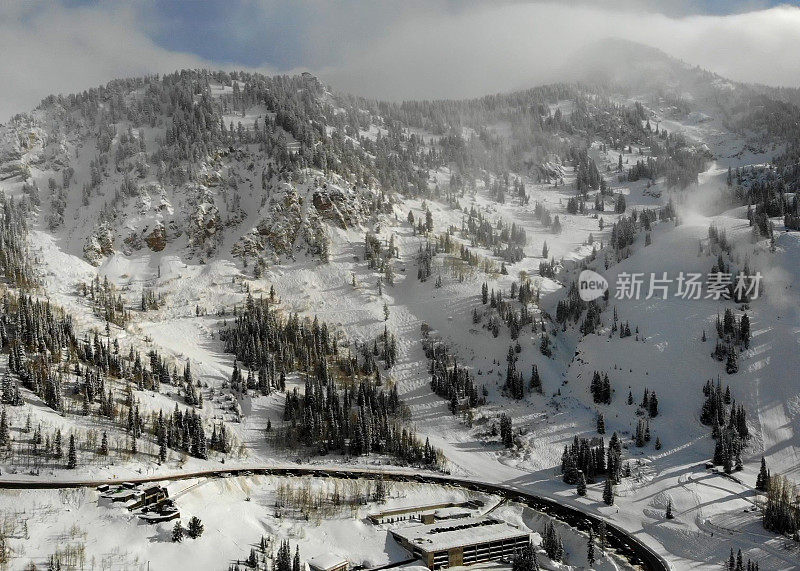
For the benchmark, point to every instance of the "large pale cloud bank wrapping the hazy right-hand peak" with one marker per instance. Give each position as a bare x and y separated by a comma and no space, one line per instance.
510,46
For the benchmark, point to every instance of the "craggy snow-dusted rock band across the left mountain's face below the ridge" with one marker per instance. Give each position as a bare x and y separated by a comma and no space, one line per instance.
131,206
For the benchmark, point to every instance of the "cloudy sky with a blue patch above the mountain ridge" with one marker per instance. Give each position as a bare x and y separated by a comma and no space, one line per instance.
394,50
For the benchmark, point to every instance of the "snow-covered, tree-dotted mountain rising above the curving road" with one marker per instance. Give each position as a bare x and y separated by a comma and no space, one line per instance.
170,215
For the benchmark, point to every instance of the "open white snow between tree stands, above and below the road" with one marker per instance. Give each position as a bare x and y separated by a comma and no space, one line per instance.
713,512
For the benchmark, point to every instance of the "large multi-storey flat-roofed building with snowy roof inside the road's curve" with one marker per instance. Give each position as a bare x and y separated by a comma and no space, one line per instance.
462,541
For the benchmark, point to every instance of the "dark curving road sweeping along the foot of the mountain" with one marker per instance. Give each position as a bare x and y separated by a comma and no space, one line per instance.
618,539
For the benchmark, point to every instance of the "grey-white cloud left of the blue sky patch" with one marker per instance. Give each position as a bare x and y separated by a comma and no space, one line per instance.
47,49
